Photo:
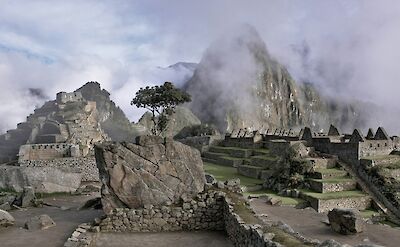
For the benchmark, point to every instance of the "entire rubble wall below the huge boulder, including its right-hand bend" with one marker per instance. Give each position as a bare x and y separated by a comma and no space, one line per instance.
212,210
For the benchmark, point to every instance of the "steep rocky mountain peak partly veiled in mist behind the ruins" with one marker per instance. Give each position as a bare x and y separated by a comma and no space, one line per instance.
238,84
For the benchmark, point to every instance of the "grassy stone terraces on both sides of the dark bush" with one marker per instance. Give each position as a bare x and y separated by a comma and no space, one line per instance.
329,185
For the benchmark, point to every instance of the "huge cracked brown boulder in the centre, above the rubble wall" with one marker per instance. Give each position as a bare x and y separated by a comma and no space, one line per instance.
154,171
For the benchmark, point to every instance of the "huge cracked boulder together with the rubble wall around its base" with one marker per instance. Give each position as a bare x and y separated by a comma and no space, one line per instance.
158,185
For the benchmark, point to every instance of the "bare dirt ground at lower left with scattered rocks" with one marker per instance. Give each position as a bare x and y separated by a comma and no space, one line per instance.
66,222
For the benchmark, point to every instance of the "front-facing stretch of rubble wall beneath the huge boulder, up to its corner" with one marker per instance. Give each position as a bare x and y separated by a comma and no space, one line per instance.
205,212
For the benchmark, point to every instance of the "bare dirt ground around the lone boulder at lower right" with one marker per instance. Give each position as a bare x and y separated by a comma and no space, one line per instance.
309,223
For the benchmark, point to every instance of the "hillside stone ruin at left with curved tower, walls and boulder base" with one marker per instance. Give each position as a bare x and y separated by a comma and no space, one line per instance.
53,151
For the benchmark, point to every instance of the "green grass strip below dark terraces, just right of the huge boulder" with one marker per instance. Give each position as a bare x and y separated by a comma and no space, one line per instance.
223,173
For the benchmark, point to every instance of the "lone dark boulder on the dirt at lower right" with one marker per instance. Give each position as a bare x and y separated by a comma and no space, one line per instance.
346,221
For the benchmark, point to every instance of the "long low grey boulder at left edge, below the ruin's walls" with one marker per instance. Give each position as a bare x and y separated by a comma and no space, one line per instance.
42,179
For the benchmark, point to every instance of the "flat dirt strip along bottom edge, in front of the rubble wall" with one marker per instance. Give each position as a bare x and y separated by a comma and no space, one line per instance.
165,239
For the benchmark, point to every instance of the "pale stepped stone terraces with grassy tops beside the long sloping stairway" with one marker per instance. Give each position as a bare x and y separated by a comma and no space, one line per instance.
332,187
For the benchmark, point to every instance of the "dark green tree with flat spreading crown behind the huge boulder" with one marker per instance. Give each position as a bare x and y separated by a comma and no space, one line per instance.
161,102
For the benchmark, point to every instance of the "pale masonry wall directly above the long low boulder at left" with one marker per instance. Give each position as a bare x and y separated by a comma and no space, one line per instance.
86,166
